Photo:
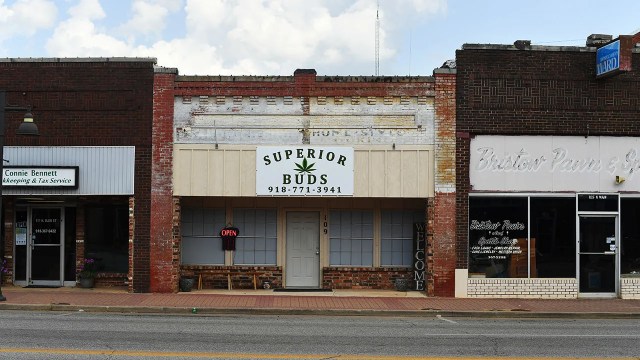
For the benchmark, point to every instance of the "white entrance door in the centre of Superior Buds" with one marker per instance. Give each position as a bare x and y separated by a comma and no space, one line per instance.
303,249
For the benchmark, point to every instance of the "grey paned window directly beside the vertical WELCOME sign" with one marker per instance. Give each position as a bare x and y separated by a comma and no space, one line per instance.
397,237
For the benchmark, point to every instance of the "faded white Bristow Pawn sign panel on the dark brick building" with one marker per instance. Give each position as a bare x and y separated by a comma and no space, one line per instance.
555,163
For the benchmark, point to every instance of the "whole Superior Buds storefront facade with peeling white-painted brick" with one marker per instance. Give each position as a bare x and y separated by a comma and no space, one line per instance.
393,136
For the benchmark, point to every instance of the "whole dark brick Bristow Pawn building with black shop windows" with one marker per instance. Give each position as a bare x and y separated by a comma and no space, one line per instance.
547,189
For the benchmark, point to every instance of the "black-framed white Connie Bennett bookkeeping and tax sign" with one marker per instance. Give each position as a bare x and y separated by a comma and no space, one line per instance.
40,176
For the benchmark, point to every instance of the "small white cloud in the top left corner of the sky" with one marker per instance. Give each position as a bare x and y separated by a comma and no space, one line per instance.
25,17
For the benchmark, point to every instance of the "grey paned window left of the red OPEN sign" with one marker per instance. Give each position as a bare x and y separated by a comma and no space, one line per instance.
201,243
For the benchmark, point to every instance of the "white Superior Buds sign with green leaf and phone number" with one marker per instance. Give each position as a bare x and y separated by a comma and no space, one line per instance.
304,171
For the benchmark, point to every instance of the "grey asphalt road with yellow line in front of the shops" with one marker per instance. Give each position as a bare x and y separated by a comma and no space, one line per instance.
81,335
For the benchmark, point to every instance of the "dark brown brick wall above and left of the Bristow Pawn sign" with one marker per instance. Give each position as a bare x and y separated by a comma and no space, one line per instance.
542,91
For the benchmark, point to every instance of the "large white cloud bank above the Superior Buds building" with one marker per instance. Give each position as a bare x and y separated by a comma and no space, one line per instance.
267,37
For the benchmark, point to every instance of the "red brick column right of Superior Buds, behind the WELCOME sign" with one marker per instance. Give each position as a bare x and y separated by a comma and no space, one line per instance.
444,207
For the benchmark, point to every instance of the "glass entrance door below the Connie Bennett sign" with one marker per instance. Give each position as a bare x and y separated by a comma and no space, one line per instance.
45,249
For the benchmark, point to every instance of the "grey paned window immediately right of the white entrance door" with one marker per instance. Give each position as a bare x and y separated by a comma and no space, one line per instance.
351,238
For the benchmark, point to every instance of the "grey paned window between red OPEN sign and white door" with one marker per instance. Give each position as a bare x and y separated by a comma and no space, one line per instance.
256,244
